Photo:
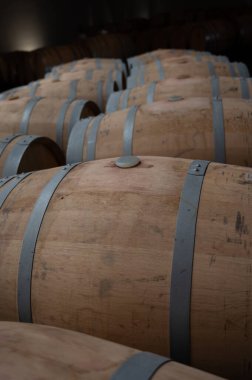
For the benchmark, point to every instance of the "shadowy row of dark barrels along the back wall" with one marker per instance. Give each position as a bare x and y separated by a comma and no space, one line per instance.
229,32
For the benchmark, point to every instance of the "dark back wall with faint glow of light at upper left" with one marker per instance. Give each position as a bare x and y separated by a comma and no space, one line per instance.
27,25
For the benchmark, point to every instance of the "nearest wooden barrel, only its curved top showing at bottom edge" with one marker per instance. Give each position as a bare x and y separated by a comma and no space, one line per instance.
49,353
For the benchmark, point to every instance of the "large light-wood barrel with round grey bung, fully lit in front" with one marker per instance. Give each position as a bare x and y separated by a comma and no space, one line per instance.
99,248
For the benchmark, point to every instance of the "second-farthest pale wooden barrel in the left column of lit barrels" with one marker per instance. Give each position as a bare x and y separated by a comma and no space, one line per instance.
94,75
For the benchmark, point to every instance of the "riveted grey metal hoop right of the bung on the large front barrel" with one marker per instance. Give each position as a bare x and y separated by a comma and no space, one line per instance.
182,264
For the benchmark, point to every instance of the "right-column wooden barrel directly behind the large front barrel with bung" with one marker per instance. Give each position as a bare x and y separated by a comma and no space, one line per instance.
200,128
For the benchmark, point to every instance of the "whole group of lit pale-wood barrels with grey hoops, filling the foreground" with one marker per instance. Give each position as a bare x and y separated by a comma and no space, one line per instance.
151,250
